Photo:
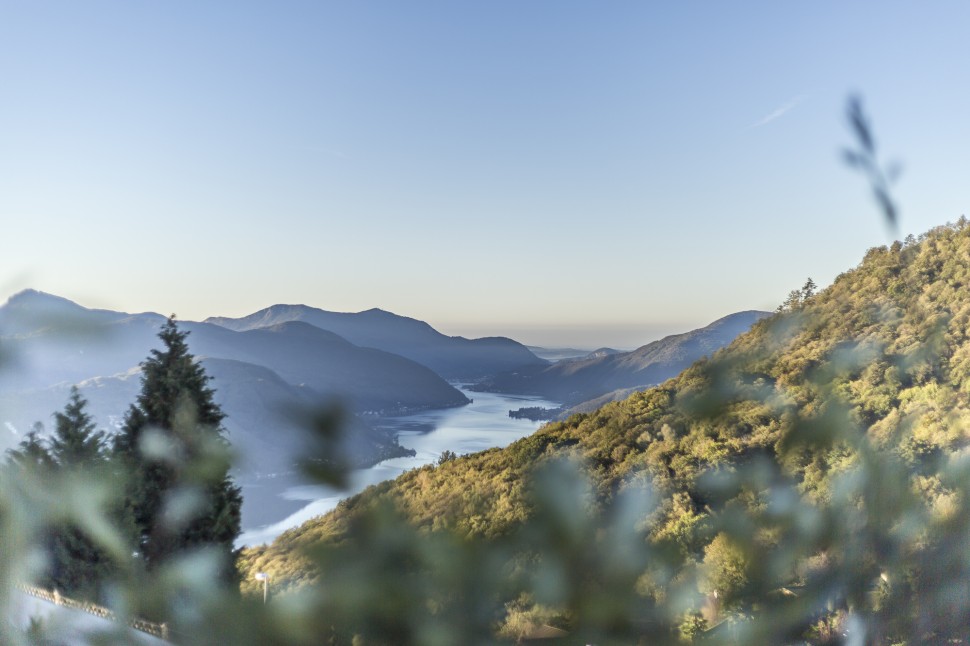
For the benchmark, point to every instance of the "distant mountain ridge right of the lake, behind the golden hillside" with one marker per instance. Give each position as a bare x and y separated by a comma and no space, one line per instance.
574,381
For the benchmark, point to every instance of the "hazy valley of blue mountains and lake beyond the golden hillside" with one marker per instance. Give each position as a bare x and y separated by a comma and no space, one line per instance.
272,371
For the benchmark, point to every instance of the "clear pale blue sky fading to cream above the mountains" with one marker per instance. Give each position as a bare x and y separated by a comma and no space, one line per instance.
566,173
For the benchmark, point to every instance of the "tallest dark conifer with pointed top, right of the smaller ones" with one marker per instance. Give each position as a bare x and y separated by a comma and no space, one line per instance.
181,494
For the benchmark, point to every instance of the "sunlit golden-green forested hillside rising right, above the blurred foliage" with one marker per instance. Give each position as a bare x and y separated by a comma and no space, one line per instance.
883,353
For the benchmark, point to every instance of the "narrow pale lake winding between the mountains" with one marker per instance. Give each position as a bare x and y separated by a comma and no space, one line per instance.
483,424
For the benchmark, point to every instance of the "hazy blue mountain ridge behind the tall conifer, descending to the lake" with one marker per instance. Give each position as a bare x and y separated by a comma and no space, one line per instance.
70,343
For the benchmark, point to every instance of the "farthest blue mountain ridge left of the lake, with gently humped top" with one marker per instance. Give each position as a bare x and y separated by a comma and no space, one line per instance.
452,357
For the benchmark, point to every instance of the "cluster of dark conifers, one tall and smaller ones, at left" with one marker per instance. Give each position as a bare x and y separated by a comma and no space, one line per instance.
171,460
